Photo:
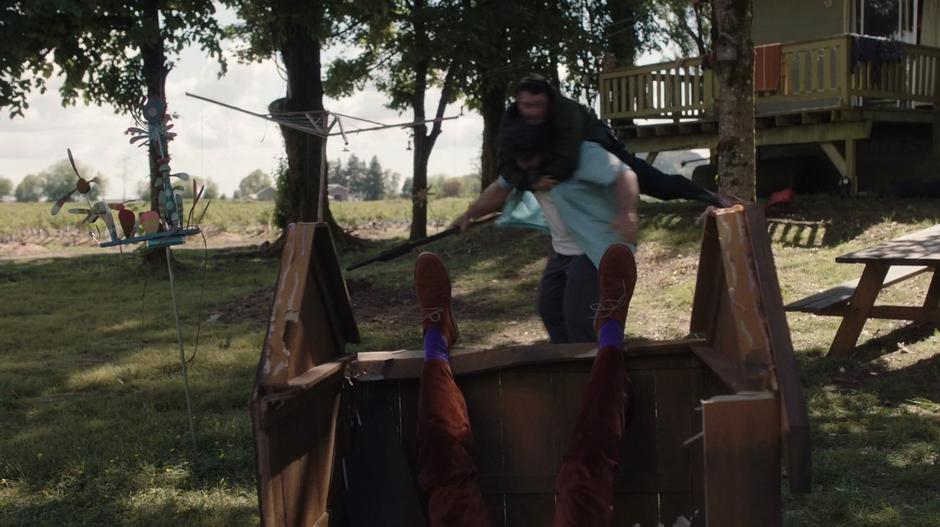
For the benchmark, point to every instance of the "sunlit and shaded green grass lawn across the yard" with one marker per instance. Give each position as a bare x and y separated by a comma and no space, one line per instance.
94,427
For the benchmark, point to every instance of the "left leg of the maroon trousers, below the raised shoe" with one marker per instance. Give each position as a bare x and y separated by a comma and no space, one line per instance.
445,442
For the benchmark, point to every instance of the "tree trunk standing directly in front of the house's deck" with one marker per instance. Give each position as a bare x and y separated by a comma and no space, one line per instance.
734,66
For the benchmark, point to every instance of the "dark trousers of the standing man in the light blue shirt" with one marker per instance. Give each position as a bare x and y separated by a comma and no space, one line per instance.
566,295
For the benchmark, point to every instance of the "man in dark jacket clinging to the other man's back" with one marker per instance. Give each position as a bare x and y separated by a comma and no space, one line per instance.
569,124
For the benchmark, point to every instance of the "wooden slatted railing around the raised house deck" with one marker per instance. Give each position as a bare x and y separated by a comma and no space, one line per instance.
815,74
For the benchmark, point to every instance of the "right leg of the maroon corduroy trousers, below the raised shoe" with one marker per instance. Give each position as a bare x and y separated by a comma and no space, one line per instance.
585,484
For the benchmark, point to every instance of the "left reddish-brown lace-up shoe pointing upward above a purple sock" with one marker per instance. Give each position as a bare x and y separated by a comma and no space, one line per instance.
433,288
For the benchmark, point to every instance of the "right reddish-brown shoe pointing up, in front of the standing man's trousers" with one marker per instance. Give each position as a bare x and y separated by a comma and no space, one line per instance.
617,277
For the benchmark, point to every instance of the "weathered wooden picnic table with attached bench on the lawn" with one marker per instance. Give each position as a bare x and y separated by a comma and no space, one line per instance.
886,264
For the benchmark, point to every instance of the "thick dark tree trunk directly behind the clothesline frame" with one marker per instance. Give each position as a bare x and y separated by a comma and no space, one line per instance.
300,53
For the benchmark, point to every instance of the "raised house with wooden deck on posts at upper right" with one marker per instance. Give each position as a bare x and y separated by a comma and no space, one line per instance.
845,91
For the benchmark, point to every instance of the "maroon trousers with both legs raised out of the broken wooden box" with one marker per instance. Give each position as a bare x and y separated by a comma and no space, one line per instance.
585,484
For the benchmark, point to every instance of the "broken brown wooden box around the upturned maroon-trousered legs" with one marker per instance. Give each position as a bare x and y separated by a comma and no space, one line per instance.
713,413
